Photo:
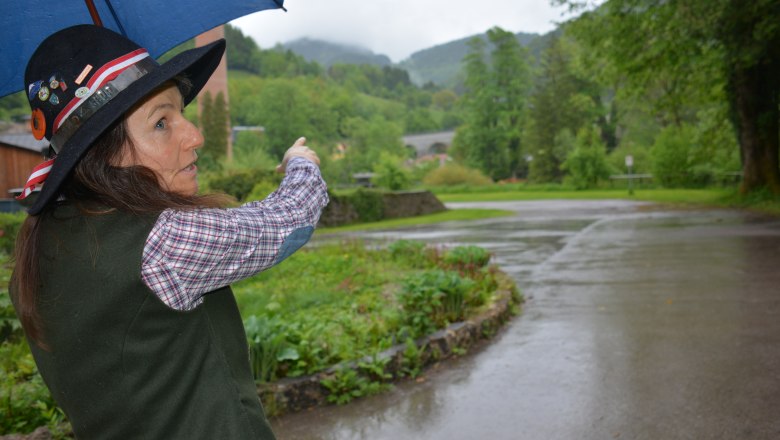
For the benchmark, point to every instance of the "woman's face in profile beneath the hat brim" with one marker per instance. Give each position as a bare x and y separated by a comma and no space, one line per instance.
165,141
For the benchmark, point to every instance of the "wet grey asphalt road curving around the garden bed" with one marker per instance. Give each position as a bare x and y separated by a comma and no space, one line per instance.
639,324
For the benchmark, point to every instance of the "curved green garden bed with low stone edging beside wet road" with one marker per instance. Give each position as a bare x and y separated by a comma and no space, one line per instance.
358,319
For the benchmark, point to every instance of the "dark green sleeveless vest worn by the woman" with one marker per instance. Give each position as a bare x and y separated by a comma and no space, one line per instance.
122,364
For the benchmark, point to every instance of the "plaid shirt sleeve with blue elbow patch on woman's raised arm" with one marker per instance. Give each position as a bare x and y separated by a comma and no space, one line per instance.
190,253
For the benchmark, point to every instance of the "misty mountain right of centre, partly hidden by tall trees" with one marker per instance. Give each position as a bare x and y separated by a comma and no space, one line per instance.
442,64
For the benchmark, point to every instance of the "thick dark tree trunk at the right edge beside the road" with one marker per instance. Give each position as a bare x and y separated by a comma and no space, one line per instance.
754,99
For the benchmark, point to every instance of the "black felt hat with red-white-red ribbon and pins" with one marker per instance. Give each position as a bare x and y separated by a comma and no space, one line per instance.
83,78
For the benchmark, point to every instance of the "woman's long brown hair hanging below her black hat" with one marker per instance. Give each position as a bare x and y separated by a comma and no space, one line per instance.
97,185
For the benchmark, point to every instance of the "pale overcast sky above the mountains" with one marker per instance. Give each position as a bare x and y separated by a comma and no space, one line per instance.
396,28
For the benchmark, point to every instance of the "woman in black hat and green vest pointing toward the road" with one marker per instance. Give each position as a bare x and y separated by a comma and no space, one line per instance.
122,271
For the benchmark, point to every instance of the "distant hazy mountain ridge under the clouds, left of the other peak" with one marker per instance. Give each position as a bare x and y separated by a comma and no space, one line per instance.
327,53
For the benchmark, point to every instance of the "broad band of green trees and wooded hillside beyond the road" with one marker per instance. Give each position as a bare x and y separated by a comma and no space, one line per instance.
684,100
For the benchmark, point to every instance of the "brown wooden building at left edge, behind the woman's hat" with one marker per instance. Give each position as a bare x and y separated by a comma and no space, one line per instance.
19,154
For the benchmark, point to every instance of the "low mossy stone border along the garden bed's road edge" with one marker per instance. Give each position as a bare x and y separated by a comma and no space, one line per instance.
295,394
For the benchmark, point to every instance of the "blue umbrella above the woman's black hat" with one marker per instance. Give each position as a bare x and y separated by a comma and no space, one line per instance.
154,24
